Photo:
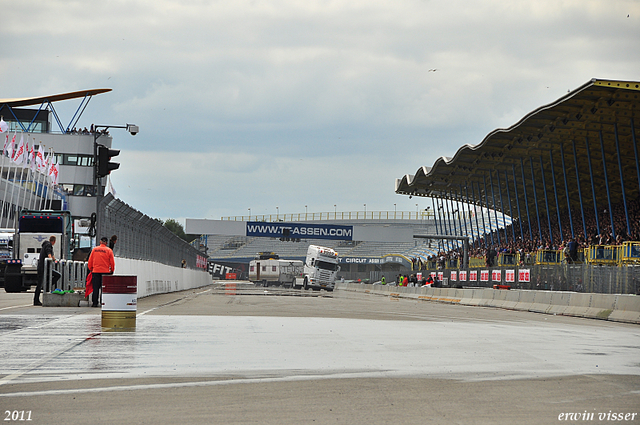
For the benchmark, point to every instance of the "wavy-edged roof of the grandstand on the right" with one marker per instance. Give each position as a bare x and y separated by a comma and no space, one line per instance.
602,114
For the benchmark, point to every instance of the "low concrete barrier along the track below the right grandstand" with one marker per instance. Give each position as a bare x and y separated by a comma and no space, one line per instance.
618,308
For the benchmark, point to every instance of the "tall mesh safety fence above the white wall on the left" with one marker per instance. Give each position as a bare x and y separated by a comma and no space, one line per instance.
141,237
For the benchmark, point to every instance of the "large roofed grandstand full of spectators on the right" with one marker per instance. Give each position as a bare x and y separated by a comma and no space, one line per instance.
569,175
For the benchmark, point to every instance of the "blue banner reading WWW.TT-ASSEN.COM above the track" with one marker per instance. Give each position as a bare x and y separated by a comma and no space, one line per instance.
300,231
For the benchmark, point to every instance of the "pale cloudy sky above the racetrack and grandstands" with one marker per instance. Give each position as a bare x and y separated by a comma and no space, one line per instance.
274,105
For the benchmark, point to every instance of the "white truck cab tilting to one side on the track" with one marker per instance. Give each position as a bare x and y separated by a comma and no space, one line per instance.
320,269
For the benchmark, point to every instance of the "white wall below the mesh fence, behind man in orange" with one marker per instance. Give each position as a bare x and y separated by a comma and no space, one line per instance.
155,278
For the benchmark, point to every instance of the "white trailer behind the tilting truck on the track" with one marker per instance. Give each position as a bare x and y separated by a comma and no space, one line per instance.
268,269
